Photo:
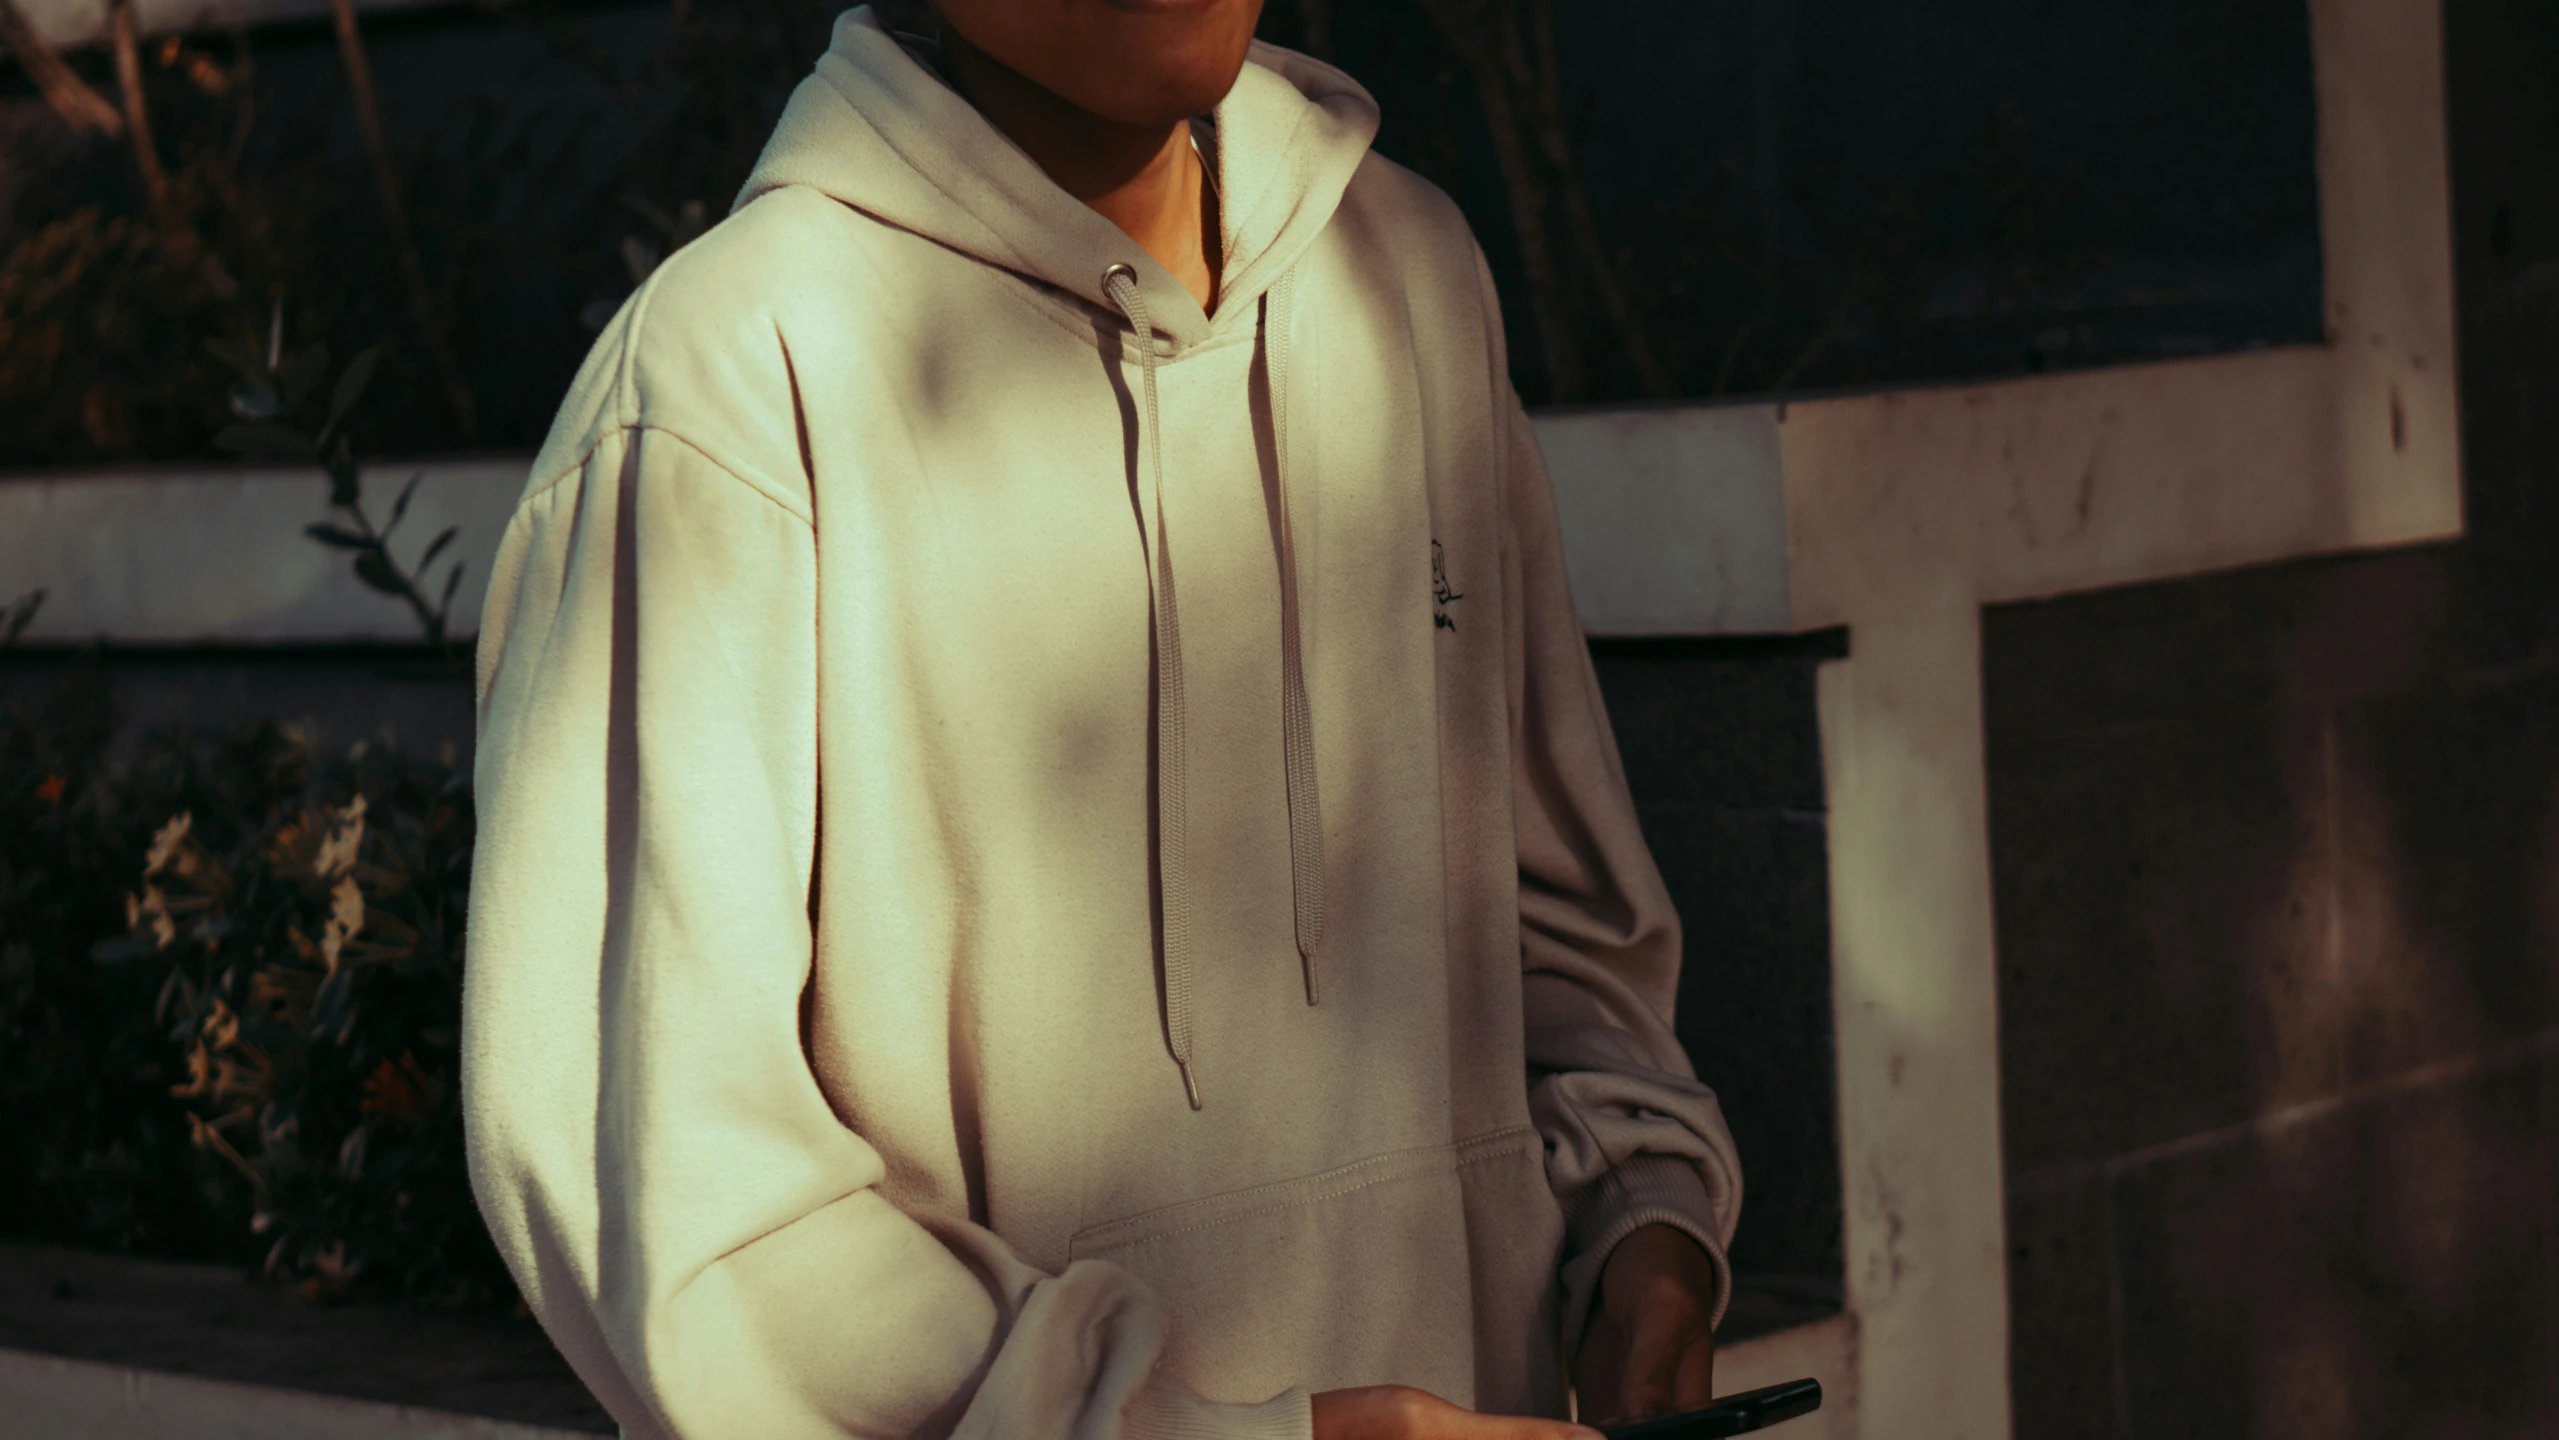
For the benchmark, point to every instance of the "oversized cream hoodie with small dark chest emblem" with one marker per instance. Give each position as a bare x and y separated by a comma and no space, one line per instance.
940,707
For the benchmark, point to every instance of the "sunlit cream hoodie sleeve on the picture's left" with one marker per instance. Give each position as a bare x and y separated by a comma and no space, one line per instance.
687,1214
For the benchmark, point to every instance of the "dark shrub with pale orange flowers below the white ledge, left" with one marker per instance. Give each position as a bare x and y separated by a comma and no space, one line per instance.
260,1063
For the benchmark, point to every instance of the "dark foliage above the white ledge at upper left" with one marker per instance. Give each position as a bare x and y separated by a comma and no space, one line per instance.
551,155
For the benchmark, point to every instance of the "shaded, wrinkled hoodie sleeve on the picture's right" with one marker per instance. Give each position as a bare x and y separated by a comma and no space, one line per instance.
1631,1137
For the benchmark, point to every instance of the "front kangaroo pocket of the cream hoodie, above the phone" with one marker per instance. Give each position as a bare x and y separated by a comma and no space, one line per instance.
1358,1275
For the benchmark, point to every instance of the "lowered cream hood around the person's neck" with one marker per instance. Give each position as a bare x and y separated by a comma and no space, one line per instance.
884,134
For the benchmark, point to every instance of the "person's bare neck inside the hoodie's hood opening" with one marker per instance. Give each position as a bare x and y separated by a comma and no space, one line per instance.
1145,180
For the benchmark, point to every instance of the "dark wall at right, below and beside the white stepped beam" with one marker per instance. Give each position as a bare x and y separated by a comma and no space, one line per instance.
2276,866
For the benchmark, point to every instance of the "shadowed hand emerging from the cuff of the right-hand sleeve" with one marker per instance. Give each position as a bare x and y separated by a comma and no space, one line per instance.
1649,1349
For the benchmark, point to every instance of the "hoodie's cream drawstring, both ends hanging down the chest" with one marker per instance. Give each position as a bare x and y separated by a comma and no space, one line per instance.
1171,710
